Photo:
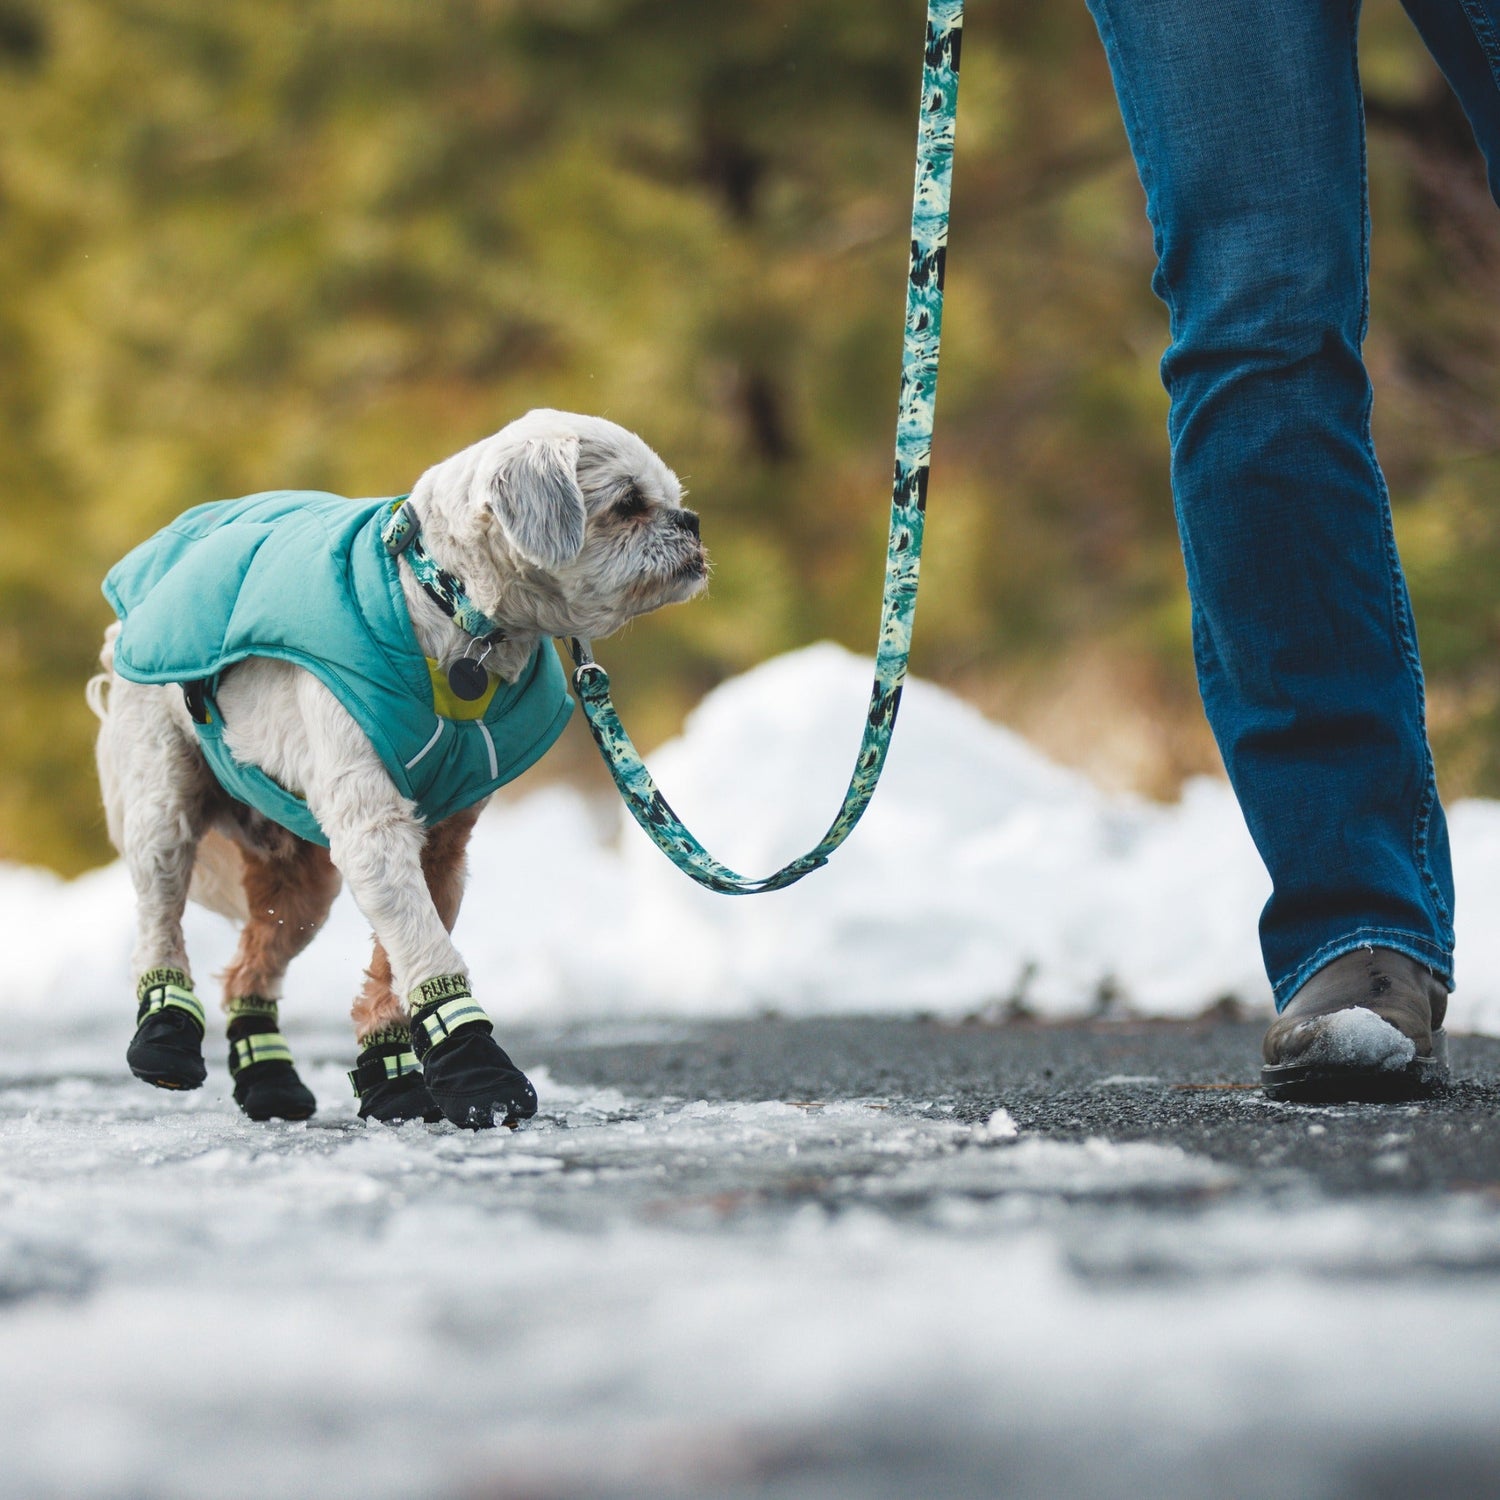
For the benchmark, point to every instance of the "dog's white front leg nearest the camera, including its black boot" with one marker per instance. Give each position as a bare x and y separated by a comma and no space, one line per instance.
377,844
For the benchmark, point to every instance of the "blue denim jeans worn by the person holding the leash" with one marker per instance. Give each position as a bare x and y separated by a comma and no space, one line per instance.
1247,125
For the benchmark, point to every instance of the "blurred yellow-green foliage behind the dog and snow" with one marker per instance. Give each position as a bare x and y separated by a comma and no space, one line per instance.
326,244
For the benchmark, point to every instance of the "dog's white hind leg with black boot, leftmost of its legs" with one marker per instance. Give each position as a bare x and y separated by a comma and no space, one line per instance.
158,793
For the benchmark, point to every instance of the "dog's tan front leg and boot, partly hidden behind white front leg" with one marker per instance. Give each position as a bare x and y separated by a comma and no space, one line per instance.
380,1019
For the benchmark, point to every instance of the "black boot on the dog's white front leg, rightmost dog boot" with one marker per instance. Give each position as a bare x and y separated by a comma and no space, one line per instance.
472,1079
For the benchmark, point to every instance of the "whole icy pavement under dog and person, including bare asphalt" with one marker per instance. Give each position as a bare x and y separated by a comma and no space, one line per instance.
754,1259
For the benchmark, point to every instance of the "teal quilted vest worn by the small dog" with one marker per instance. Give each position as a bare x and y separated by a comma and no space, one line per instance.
304,577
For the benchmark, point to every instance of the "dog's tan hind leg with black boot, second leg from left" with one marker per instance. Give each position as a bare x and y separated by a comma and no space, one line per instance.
289,893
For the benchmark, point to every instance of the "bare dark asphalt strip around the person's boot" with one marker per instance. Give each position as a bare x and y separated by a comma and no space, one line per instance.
1192,1085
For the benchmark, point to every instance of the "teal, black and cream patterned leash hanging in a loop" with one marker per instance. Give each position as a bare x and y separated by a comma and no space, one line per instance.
914,433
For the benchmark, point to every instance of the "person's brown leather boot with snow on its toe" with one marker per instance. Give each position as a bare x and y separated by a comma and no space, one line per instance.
1366,1027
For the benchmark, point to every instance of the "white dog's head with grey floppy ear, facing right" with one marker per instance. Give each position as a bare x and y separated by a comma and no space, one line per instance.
560,526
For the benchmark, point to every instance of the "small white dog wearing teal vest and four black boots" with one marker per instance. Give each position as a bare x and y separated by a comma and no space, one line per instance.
305,689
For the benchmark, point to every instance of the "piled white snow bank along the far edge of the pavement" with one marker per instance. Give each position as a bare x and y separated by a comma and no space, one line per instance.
983,877
